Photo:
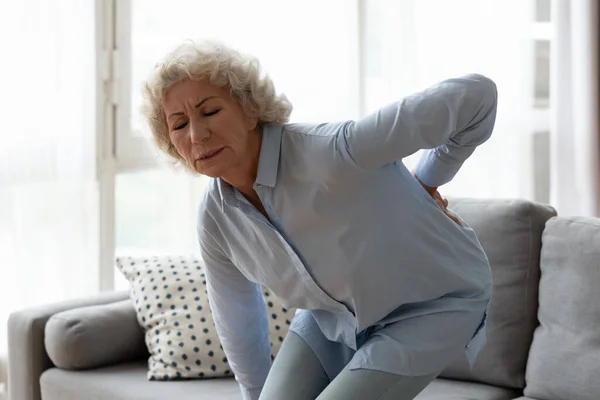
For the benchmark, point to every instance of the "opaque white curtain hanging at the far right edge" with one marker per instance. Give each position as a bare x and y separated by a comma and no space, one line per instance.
575,133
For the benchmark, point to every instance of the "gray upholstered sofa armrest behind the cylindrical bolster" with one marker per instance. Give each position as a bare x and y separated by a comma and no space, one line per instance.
27,357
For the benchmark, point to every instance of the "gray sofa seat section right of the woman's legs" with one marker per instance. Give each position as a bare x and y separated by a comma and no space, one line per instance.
445,389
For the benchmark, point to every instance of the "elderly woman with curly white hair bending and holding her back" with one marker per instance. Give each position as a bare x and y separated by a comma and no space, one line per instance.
390,285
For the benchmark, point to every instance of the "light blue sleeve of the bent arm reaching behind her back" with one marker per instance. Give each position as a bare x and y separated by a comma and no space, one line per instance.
449,119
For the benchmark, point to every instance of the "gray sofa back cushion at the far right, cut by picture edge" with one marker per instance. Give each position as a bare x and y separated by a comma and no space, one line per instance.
564,361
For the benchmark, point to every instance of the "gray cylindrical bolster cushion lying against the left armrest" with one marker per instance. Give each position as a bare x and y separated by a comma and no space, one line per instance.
94,336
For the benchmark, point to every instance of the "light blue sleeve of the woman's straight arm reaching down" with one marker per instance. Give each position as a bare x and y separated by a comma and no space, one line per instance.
240,317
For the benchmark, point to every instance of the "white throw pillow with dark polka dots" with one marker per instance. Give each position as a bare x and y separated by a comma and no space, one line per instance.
169,295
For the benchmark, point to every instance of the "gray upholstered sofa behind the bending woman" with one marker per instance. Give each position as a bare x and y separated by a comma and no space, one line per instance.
543,325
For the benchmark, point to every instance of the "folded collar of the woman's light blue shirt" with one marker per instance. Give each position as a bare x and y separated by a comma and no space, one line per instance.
268,164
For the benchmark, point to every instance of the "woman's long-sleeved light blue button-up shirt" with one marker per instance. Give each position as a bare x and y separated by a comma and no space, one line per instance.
381,277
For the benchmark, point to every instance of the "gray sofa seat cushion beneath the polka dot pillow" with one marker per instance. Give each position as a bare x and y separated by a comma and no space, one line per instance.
129,381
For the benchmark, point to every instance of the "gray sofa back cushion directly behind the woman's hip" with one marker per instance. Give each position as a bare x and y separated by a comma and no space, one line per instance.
510,232
